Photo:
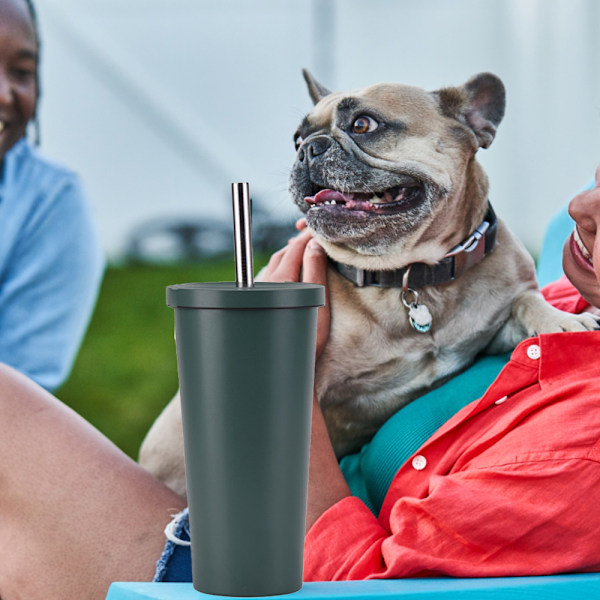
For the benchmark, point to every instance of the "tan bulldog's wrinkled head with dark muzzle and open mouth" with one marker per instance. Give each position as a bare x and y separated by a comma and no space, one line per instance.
374,167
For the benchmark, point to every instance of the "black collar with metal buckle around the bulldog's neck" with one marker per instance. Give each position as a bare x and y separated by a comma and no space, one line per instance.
474,249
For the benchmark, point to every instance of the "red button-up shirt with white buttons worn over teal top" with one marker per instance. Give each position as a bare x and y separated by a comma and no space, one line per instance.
509,486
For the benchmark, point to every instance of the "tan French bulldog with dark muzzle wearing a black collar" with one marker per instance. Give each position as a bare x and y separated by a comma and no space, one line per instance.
422,277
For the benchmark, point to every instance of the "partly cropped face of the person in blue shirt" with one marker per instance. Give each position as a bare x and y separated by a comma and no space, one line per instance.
18,72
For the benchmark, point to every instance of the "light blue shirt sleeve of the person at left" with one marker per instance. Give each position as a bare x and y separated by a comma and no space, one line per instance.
50,286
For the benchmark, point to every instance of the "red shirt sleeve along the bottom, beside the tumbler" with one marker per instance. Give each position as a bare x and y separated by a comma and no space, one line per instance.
527,518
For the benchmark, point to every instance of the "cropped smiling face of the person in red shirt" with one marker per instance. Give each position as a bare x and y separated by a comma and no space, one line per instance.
581,253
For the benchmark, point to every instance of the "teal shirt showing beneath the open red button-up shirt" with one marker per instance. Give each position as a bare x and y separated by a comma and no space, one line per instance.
370,471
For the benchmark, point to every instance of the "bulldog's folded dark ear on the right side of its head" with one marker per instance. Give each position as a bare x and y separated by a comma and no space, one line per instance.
479,104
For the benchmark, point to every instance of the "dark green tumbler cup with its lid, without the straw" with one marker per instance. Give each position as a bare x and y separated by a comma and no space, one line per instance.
246,382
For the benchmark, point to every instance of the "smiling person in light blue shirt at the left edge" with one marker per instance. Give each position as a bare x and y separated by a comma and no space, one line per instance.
51,262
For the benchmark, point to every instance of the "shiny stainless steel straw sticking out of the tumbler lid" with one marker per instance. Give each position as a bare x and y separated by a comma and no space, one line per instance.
242,233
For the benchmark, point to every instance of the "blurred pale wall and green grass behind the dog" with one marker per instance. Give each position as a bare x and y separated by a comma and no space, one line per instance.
160,104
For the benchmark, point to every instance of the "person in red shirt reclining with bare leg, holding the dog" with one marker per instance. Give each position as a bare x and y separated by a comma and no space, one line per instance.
508,486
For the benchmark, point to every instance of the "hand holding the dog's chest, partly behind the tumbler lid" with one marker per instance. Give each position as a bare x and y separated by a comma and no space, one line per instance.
303,259
